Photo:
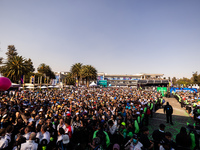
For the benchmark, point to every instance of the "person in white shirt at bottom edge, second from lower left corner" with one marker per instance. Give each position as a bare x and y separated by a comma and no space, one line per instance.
30,144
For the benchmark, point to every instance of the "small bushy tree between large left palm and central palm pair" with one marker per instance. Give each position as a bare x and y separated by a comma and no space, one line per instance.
46,71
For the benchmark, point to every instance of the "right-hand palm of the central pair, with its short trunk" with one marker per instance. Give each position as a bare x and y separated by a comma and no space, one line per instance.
88,72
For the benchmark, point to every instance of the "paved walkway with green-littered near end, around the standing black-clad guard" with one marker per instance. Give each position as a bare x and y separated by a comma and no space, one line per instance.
180,118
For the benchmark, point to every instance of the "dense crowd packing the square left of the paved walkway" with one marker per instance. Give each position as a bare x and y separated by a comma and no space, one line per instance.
83,118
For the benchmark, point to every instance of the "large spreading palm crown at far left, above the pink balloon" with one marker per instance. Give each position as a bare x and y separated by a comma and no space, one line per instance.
15,67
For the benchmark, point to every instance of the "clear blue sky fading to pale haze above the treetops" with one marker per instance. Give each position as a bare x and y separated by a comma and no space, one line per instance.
115,36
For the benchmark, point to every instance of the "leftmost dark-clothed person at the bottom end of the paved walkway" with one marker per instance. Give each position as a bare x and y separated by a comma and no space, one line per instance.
145,140
